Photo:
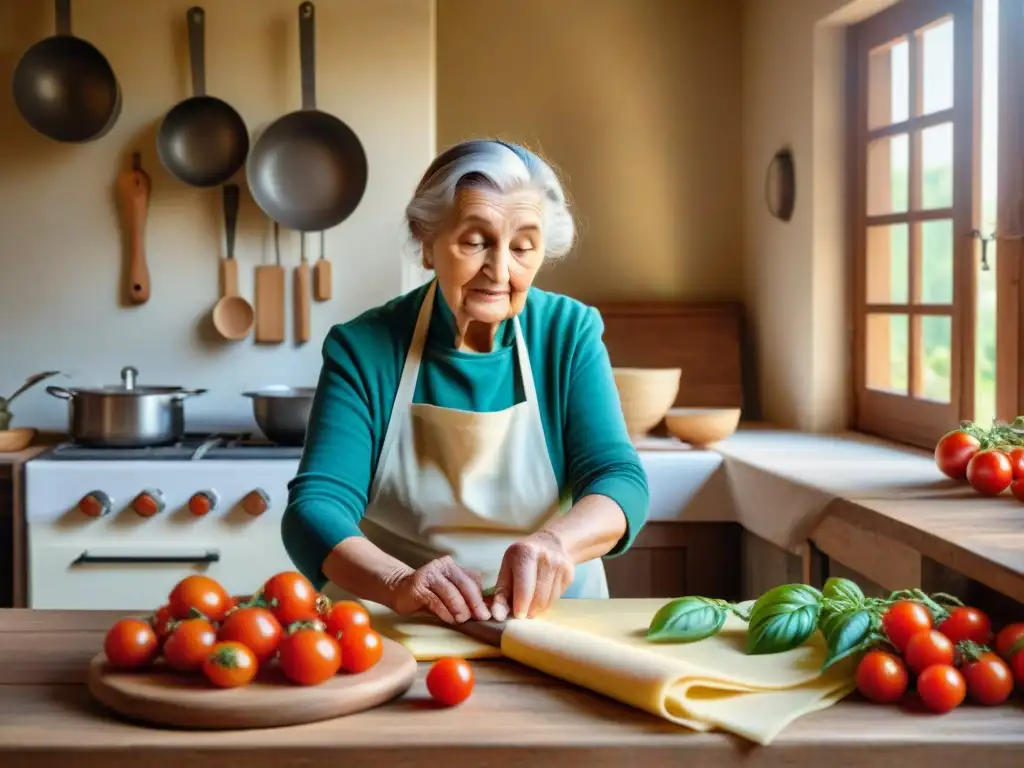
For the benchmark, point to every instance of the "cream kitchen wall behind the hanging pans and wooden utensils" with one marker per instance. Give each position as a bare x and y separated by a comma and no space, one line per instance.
62,250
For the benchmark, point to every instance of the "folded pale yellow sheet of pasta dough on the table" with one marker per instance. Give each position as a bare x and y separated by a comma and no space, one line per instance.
601,646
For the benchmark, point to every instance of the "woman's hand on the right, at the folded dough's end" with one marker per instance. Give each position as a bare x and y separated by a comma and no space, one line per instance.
535,573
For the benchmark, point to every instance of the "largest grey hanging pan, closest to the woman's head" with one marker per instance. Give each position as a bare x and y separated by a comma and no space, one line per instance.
309,169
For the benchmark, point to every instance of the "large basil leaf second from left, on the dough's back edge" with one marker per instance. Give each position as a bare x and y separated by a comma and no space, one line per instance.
783,619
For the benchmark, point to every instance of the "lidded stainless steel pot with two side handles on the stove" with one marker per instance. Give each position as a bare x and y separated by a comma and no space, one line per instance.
126,416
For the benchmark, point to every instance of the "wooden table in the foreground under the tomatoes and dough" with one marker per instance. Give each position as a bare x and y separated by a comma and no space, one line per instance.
516,716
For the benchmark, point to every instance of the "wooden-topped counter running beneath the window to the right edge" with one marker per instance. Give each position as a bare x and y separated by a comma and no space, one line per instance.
879,508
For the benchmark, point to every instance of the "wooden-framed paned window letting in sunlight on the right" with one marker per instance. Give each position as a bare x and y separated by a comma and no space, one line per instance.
937,170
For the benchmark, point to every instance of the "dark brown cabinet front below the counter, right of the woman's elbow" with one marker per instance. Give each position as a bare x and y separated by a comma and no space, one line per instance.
673,560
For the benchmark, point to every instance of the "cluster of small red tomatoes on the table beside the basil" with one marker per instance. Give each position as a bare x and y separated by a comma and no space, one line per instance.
951,661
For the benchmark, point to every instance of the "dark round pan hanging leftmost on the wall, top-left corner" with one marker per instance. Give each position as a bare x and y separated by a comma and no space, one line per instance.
65,88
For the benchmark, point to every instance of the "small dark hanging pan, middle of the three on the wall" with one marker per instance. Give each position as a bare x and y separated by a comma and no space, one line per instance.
202,141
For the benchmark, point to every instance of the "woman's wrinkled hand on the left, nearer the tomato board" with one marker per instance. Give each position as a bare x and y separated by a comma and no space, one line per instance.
450,592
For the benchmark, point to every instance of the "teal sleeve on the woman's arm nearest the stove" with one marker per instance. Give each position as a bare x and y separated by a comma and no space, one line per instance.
328,497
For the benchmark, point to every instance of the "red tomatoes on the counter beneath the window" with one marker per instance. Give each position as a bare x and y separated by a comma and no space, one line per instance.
990,466
